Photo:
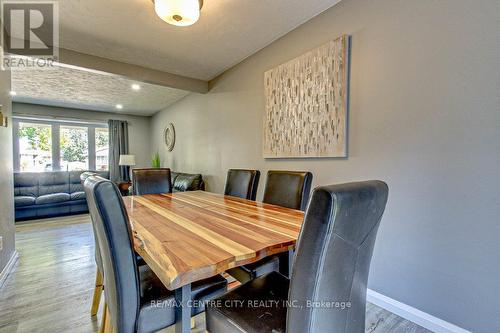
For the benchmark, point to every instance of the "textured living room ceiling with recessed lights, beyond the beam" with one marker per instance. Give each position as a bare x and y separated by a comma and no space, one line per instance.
77,88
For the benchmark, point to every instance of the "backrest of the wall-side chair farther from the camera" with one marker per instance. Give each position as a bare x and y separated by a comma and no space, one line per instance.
242,183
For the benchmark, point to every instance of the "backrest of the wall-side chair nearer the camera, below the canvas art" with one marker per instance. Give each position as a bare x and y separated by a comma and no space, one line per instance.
289,189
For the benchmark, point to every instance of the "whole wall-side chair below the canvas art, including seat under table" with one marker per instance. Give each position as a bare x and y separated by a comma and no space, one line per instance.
289,189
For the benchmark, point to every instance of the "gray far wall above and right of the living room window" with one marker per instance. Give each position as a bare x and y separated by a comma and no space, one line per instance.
139,127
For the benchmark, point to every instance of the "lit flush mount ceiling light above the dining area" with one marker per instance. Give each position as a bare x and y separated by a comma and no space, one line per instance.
178,12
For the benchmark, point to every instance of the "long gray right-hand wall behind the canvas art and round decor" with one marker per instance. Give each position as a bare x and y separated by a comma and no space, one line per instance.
425,117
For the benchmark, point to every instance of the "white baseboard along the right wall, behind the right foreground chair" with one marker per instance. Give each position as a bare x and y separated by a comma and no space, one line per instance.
405,311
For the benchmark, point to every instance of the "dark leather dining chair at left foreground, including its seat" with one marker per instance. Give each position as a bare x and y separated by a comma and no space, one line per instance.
136,300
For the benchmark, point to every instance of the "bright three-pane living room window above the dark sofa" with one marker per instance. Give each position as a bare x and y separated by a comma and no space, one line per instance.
41,145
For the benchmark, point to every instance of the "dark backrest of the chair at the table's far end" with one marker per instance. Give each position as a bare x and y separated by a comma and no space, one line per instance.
151,181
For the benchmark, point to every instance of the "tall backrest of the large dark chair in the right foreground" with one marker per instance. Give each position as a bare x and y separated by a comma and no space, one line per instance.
333,256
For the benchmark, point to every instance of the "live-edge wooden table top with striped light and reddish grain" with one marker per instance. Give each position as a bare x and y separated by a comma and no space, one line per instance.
189,236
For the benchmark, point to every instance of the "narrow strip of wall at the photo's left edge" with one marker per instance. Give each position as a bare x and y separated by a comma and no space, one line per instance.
7,229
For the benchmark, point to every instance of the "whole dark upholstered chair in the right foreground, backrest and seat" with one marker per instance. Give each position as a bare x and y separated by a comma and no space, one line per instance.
327,289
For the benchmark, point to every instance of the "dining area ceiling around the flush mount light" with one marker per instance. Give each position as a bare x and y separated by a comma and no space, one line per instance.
228,31
